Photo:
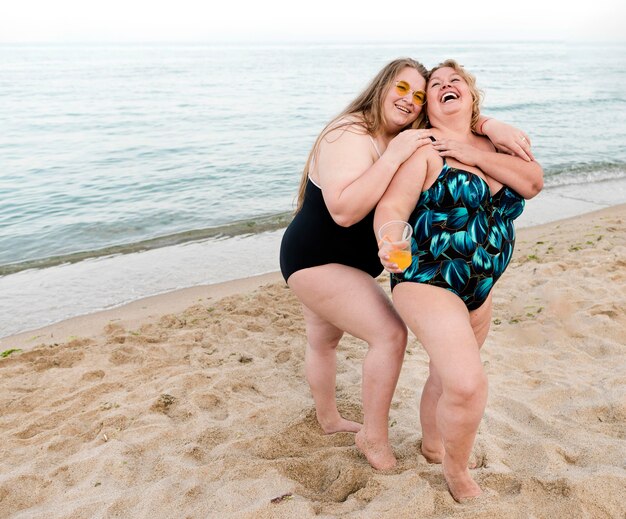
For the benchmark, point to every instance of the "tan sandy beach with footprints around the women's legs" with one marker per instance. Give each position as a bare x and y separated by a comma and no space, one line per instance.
194,404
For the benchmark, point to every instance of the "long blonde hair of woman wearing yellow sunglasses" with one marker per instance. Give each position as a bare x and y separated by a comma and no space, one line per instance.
368,107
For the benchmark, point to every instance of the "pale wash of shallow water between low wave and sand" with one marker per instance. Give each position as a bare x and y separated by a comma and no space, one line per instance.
108,284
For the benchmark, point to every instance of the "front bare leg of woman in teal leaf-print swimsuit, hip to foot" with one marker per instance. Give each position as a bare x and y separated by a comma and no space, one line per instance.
443,325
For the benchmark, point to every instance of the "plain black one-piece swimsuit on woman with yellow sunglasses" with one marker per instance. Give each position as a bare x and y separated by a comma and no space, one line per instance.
313,238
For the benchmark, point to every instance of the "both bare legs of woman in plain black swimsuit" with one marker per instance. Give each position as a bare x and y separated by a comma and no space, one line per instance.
352,301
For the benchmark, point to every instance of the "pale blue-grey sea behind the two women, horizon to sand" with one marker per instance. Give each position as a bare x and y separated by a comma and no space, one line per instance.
130,170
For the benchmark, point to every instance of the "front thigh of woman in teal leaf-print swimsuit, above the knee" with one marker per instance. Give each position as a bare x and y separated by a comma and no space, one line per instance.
441,322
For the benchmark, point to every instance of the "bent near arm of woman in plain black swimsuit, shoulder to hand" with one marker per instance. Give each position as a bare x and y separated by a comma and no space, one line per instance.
352,181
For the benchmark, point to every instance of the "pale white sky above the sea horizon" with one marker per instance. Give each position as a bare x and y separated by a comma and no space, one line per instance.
348,21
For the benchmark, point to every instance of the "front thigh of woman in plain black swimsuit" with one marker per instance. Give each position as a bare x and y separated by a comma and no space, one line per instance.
347,298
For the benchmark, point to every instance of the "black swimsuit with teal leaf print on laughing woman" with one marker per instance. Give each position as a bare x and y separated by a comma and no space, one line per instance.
463,236
